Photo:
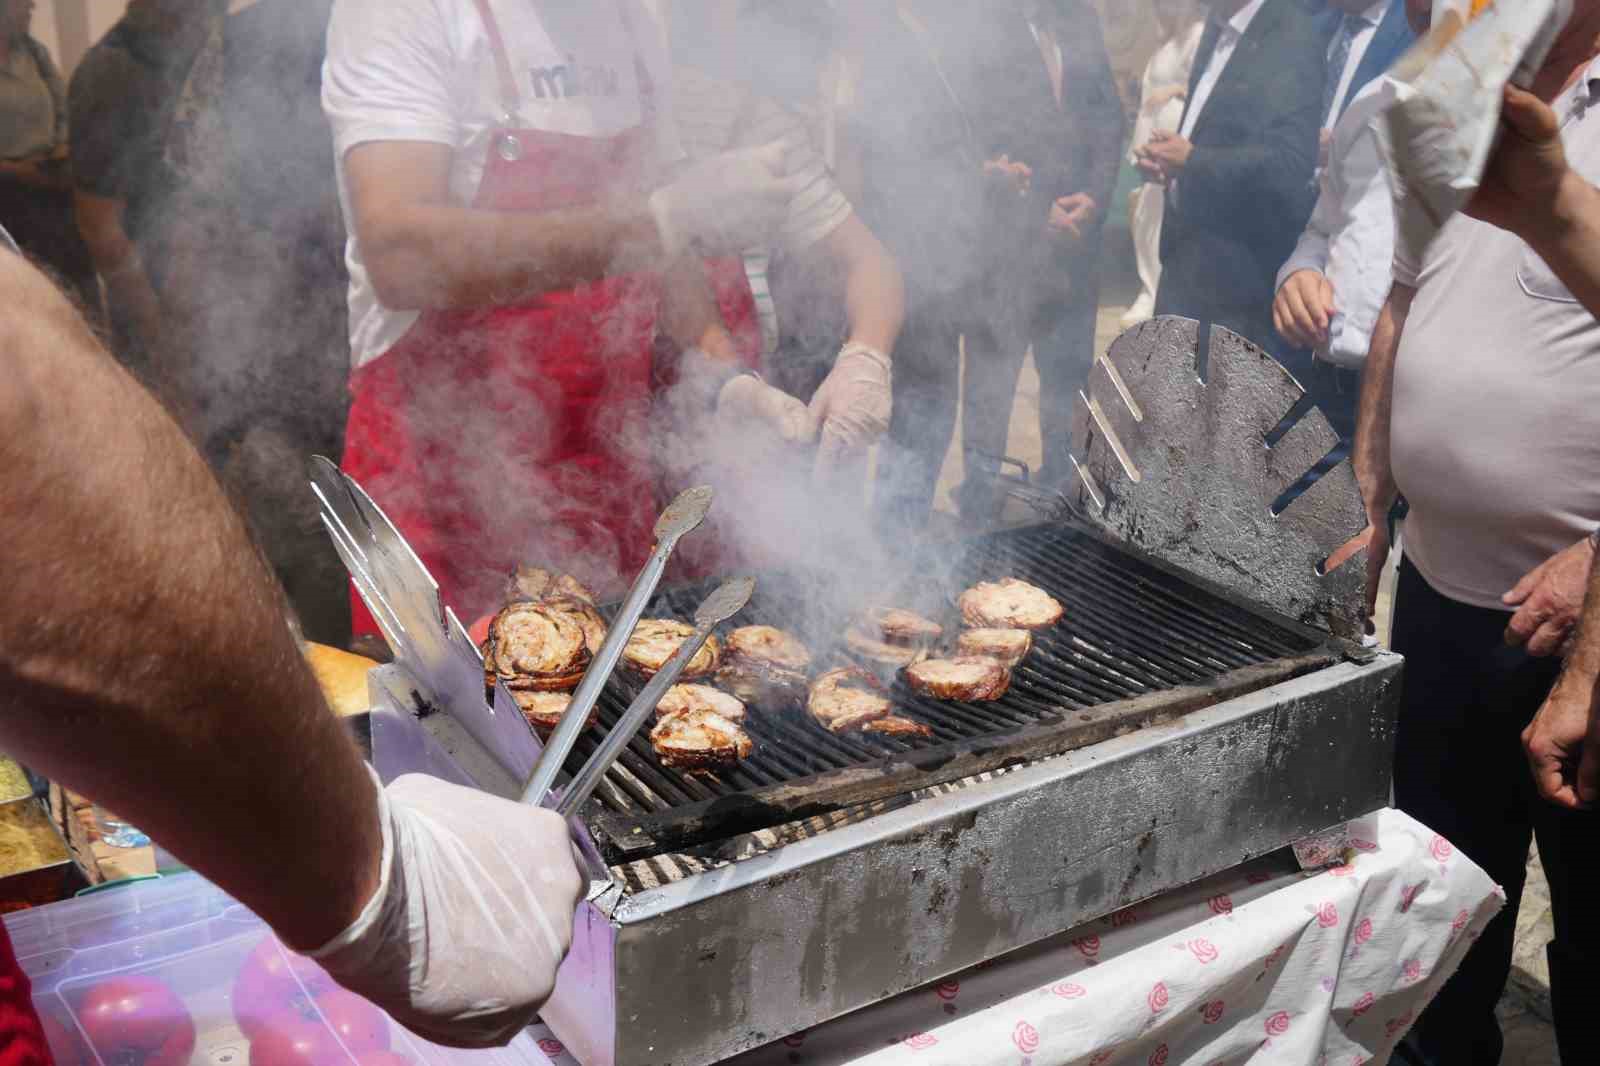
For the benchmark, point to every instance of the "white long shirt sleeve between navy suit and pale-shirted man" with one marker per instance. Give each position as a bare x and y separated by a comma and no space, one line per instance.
1351,236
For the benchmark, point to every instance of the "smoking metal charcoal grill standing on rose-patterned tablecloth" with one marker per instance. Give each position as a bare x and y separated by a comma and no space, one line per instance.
1170,727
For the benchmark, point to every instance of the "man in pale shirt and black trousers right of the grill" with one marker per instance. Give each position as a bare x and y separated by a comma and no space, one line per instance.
1479,404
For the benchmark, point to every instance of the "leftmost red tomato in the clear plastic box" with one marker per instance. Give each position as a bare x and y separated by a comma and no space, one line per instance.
137,1022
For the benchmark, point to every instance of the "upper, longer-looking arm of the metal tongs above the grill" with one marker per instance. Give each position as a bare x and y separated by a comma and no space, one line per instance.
681,518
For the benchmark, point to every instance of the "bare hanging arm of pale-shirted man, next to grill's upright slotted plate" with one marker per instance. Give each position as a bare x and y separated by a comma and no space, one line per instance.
1374,471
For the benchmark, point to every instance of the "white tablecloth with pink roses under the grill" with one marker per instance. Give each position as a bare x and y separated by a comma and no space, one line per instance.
1319,969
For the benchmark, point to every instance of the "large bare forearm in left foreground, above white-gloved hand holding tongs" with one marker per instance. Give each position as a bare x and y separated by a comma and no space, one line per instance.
145,655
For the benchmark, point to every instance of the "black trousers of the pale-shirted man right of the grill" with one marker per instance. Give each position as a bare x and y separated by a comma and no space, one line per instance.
1460,771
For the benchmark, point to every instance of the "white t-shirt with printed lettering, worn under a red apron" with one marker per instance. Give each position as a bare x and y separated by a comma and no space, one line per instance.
425,71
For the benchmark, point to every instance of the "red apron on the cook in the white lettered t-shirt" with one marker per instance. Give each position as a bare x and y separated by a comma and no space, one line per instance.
516,435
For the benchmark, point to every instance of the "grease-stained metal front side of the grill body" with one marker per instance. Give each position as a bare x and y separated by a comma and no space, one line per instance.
710,966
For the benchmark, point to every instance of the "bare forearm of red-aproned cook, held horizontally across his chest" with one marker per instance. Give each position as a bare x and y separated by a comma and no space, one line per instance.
436,257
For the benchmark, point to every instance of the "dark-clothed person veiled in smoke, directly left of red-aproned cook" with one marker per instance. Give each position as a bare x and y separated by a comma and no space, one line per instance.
254,303
